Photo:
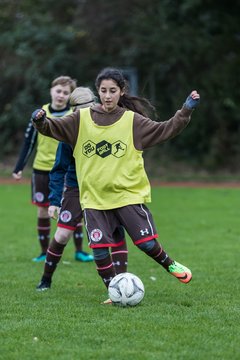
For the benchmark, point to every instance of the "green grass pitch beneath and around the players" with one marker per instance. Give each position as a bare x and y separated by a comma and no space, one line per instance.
197,226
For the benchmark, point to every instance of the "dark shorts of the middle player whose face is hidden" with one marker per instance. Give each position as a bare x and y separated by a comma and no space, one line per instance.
71,212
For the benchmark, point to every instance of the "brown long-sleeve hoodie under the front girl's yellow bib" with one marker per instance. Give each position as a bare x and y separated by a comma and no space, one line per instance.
146,132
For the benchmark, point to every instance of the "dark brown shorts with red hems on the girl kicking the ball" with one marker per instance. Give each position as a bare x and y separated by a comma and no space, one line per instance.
102,225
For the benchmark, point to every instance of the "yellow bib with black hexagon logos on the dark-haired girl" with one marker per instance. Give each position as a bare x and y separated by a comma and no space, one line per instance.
104,153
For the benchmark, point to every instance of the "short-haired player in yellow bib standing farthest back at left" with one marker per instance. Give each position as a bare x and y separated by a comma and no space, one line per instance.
60,91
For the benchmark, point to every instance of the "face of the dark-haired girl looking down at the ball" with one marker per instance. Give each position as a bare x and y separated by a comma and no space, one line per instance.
109,93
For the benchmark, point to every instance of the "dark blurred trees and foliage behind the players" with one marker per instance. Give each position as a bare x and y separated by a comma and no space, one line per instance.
174,46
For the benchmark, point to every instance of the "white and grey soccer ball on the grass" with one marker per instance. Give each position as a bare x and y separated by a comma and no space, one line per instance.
126,289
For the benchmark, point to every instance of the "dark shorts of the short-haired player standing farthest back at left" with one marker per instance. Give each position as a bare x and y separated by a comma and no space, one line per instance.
40,188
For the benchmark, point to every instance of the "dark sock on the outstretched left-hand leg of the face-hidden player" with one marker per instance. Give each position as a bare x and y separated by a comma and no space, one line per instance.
54,254
